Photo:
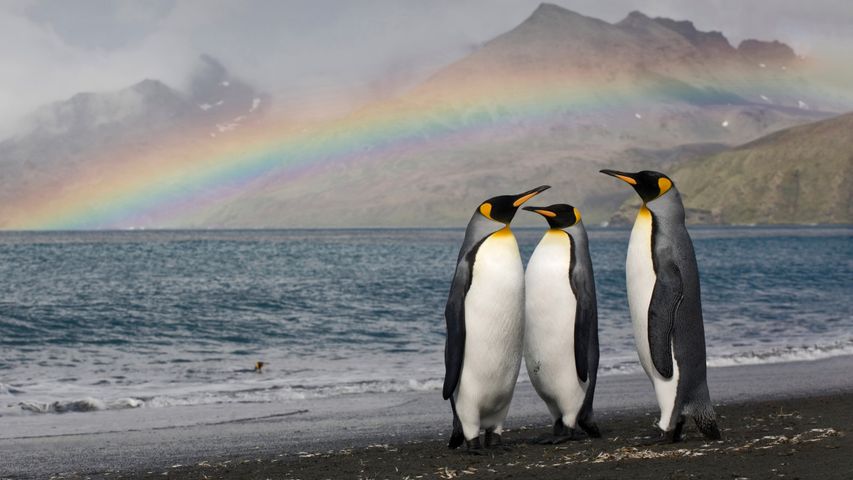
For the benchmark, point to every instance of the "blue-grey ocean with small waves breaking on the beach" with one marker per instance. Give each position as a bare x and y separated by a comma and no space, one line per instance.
132,320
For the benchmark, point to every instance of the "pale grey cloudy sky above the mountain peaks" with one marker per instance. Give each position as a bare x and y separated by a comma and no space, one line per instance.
319,55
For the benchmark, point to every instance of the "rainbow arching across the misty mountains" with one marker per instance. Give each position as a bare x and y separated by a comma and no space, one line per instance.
172,182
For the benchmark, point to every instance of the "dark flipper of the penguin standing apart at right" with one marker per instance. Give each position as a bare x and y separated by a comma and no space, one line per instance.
663,308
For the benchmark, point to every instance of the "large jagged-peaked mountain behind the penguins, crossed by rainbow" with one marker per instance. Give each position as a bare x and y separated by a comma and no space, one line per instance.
601,93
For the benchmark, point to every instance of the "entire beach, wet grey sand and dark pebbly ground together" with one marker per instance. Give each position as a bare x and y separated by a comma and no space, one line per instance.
775,416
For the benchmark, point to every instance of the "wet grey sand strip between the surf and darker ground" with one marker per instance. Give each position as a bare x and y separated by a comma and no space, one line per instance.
133,442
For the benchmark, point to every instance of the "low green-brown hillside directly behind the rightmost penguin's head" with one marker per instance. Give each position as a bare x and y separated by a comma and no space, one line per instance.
800,175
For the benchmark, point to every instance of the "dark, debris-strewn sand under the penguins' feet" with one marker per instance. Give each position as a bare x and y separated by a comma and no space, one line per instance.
803,438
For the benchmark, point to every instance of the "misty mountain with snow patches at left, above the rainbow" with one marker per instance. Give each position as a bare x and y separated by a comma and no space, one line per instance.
57,143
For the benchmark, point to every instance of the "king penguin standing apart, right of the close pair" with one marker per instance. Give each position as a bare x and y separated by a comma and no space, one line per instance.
663,296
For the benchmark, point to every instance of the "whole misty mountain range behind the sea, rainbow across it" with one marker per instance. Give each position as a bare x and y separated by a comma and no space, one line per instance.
550,101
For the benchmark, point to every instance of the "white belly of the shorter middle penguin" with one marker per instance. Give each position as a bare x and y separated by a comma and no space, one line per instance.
549,328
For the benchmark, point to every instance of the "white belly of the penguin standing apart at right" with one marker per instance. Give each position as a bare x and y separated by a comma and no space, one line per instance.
640,279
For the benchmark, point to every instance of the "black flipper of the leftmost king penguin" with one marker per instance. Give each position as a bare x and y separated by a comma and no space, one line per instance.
454,315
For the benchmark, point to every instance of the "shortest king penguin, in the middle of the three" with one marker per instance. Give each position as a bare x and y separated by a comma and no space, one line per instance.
561,323
